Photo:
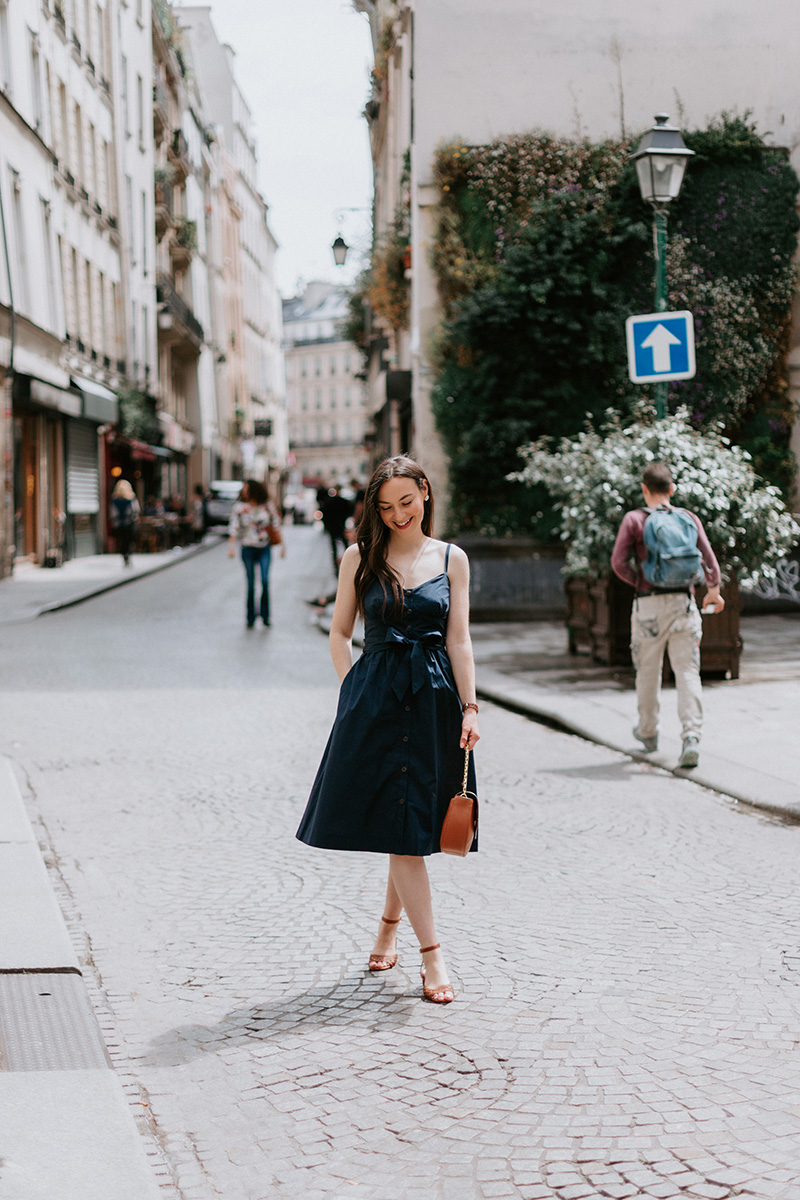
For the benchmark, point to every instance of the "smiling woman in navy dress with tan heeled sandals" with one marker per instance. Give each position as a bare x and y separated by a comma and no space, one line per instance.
396,753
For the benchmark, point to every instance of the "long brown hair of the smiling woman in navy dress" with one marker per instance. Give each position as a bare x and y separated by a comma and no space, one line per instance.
374,536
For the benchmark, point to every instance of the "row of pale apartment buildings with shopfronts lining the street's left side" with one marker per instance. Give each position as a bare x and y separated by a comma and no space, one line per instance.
122,209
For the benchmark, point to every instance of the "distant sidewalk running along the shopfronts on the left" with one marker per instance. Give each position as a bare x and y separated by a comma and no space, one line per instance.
33,591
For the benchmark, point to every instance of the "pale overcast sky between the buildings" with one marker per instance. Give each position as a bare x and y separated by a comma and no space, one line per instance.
304,67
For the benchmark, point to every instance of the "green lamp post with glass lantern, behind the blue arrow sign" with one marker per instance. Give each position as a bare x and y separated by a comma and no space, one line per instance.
661,161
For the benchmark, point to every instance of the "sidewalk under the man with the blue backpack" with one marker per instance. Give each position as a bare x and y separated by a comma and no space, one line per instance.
750,748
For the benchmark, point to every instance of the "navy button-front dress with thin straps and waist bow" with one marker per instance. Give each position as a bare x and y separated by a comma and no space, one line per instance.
393,761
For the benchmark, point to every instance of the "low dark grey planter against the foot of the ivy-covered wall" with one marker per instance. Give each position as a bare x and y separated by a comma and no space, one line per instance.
514,579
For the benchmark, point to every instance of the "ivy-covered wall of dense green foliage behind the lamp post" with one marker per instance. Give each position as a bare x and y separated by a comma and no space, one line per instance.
544,248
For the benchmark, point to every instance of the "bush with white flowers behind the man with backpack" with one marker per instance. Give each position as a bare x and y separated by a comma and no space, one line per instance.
596,478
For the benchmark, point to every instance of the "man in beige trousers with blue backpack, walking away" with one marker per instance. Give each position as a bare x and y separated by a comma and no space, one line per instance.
664,553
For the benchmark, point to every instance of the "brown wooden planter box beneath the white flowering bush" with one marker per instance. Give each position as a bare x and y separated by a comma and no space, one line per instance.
599,623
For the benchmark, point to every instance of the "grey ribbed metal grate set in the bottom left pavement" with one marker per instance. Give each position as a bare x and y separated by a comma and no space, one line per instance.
47,1024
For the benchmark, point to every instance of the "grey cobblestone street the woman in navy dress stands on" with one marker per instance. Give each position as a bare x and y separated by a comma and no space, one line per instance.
624,947
